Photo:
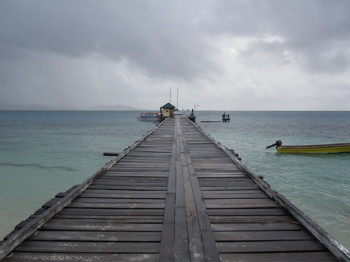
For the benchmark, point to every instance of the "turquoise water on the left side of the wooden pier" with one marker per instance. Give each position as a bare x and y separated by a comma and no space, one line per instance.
43,153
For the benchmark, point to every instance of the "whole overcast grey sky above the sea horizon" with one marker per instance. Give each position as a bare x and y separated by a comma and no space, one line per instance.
219,54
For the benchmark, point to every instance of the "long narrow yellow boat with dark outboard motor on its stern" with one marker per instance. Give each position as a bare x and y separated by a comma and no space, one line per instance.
312,149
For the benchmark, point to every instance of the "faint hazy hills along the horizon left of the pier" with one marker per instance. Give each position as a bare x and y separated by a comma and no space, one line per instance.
47,108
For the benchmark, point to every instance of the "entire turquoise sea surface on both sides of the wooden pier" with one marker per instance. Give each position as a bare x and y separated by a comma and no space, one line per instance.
43,153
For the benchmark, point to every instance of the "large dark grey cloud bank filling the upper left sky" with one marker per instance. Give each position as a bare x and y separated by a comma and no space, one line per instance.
158,36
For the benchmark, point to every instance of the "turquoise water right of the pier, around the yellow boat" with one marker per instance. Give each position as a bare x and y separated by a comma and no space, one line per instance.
319,185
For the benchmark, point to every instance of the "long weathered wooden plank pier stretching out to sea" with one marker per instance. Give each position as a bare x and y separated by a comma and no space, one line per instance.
175,195
